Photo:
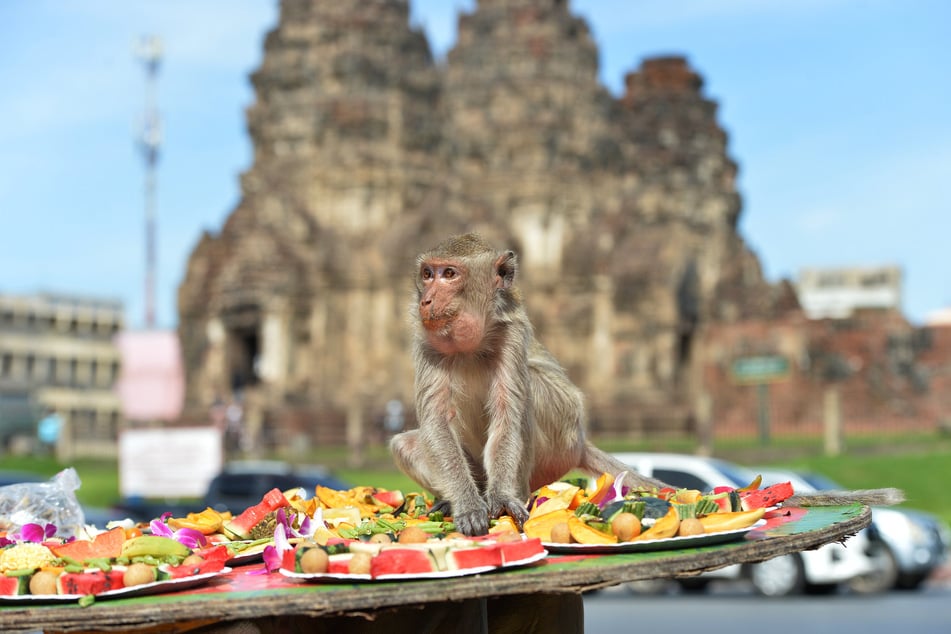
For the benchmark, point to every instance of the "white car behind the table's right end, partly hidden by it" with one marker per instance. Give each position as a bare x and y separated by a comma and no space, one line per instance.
819,570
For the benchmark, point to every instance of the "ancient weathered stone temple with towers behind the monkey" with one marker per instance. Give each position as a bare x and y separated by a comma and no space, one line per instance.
366,151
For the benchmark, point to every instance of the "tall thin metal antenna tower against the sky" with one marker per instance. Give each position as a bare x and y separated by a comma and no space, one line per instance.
149,51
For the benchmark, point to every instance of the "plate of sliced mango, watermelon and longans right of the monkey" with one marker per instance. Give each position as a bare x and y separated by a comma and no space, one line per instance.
567,513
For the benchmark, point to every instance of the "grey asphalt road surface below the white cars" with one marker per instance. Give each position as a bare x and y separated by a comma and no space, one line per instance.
725,608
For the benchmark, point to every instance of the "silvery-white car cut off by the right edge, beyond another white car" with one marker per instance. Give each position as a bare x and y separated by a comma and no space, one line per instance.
906,545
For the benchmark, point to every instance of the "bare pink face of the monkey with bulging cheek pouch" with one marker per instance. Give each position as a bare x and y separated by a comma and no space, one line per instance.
450,329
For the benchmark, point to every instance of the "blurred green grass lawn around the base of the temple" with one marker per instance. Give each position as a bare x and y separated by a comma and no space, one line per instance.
921,466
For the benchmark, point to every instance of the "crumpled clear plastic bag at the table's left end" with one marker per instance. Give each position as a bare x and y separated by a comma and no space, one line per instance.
51,502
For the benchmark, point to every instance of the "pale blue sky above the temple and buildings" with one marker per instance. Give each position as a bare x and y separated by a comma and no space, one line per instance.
837,113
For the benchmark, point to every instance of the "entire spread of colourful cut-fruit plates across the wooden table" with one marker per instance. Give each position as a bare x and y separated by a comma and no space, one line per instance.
365,532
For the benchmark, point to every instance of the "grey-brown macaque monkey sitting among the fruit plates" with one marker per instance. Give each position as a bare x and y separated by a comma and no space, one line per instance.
498,417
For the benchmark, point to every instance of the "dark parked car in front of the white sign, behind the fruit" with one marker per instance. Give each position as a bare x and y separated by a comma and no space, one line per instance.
240,484
